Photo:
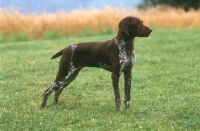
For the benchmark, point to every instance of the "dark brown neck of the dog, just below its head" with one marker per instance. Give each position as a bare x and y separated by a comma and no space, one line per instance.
127,39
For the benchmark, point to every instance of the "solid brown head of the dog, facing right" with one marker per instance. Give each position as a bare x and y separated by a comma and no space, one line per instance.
133,26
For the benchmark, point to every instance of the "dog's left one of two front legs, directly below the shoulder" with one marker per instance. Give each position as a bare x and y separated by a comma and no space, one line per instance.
115,82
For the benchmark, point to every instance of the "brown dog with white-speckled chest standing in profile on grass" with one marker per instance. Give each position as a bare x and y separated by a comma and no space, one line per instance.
116,55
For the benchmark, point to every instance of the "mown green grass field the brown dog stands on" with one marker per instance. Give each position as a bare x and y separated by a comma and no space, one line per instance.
165,86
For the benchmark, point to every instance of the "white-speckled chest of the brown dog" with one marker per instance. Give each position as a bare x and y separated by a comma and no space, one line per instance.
127,56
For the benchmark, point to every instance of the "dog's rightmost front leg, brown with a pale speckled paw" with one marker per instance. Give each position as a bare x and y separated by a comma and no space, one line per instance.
127,87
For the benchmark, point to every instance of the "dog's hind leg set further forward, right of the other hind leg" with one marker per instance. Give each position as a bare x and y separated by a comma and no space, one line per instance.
66,81
